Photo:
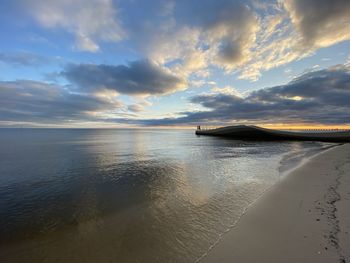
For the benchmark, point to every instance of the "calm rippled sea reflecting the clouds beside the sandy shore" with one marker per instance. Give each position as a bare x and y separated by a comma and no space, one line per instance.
96,195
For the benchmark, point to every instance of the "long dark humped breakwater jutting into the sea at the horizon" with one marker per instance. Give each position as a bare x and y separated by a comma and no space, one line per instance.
251,132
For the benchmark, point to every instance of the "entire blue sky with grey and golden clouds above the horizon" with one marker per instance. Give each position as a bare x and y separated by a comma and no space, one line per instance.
156,63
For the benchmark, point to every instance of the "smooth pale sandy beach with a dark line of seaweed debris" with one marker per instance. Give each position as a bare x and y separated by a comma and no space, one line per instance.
303,218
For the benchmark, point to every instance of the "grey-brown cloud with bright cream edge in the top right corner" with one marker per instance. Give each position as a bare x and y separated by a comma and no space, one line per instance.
320,22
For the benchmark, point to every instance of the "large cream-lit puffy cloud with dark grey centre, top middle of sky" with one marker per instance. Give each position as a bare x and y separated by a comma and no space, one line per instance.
227,34
